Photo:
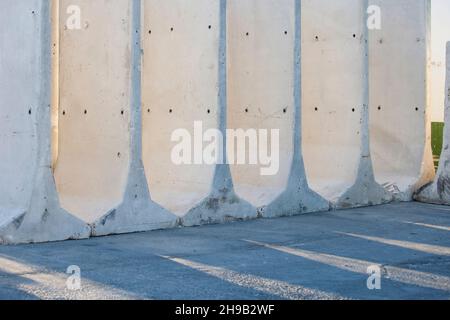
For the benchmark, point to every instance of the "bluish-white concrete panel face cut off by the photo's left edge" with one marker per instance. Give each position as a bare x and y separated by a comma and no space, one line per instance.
19,101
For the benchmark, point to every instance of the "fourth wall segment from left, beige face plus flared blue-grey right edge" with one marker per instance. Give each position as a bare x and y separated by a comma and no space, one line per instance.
265,93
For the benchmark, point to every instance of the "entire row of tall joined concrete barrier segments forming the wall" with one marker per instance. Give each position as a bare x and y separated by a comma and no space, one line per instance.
226,70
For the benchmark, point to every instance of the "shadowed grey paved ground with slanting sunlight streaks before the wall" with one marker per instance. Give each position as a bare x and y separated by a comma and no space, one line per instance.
319,256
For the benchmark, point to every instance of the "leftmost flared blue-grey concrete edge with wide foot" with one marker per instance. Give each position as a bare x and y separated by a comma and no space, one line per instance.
45,220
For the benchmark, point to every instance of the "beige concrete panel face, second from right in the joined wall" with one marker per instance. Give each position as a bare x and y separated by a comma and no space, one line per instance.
333,93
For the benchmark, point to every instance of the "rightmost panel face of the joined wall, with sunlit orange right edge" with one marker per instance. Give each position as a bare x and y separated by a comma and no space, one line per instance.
399,103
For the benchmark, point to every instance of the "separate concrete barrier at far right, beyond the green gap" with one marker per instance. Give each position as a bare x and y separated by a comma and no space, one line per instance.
439,191
